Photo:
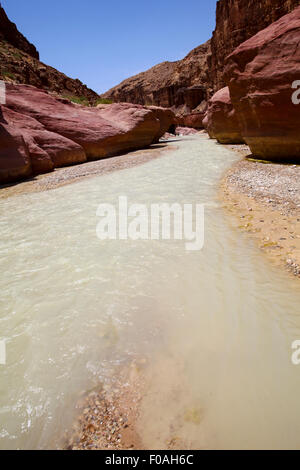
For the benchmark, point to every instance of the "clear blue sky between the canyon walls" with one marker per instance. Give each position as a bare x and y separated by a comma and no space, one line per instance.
102,42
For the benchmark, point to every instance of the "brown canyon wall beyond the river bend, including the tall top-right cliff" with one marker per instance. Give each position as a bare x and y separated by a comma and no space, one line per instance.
187,84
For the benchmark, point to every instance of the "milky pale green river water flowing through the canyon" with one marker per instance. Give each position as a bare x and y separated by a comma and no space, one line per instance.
216,325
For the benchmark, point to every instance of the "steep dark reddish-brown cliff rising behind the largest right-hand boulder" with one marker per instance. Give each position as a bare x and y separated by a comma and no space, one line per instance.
237,21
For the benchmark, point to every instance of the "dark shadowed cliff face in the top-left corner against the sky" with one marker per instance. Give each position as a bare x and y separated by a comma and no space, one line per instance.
10,34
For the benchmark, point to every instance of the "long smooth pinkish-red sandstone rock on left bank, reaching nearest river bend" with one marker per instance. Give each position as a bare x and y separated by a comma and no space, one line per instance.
100,132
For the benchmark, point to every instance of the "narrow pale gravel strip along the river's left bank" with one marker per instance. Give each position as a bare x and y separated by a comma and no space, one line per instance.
72,174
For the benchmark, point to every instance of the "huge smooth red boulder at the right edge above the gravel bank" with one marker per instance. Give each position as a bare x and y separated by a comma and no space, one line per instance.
260,74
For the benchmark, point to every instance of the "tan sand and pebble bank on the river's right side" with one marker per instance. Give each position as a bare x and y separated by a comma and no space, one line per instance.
265,200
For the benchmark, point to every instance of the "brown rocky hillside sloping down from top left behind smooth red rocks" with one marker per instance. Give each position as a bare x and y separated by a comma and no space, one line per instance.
19,63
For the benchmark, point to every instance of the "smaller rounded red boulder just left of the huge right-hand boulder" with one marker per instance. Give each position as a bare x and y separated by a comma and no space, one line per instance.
221,120
